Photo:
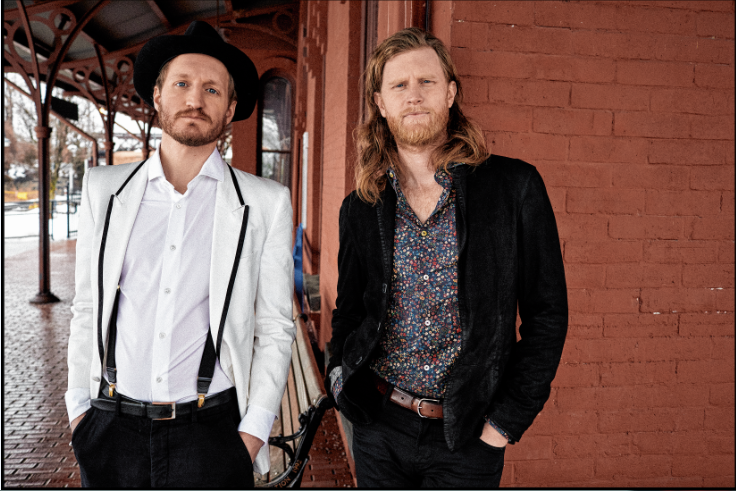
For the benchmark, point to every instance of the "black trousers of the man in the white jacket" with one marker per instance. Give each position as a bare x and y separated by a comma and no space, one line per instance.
133,452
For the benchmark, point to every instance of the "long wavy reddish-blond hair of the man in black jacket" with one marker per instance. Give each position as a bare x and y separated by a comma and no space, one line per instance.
376,147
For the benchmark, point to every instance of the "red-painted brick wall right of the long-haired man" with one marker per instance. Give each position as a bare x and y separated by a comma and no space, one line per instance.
627,110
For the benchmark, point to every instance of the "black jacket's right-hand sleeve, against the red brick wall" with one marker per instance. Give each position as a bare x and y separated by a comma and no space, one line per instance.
542,300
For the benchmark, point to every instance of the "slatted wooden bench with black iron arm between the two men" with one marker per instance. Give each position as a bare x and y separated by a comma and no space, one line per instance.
302,407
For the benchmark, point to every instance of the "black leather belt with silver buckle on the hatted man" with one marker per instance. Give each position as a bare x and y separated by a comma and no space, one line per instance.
160,410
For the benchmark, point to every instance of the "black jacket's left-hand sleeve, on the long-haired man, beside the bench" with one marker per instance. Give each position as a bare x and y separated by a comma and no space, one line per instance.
351,284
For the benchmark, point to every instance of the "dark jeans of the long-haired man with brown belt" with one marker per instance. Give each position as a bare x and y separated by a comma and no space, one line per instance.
401,450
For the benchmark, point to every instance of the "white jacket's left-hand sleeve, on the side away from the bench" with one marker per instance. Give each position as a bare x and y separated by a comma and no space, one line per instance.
82,335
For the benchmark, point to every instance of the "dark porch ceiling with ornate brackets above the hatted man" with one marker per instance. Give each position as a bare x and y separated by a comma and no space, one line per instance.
119,29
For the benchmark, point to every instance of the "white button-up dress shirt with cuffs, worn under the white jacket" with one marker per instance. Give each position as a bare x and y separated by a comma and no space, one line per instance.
163,314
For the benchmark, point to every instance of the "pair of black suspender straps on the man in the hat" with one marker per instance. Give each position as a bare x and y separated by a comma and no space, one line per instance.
211,352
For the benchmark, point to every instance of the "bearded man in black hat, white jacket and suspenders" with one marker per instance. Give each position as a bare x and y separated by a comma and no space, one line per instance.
181,338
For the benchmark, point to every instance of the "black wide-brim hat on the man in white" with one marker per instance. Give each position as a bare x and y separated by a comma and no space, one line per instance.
199,38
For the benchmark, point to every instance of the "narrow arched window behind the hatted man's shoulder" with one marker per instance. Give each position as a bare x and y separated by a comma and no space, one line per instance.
276,131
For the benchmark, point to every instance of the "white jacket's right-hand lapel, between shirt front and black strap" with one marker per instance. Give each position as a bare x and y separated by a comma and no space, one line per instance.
225,233
